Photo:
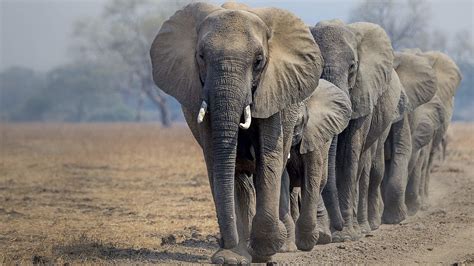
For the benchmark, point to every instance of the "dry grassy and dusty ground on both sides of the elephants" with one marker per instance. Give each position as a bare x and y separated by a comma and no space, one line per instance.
121,193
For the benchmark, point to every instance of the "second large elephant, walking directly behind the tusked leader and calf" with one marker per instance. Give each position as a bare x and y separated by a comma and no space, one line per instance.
359,58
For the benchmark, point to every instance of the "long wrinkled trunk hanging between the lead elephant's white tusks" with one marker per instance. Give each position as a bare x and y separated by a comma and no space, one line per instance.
226,107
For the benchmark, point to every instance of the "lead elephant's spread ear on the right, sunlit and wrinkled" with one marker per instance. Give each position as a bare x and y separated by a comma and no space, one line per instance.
293,68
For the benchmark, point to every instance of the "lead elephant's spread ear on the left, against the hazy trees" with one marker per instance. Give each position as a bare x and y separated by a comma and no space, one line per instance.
175,70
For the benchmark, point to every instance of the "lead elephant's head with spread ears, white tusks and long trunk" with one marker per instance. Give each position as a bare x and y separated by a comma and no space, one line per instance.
233,63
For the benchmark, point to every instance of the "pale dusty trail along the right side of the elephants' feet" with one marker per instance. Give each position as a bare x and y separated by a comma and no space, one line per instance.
442,234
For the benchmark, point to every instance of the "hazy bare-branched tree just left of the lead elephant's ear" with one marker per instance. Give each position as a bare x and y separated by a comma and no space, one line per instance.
121,39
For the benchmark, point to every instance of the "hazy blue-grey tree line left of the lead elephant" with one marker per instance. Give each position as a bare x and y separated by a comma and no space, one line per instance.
108,77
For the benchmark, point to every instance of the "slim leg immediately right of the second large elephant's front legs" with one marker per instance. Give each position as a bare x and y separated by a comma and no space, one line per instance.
362,210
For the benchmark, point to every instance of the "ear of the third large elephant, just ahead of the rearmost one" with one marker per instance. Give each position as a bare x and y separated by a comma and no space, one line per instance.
417,77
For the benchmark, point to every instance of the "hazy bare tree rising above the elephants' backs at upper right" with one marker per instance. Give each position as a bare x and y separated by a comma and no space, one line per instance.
406,22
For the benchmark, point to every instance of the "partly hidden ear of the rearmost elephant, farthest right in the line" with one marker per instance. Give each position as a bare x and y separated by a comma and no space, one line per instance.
447,73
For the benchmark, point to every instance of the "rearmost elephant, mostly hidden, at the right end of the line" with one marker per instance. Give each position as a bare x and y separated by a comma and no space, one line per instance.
428,126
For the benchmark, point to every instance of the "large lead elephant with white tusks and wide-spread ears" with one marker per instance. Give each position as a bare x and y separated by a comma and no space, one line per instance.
241,76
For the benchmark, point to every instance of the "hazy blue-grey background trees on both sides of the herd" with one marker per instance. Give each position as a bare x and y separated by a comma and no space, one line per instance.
109,76
